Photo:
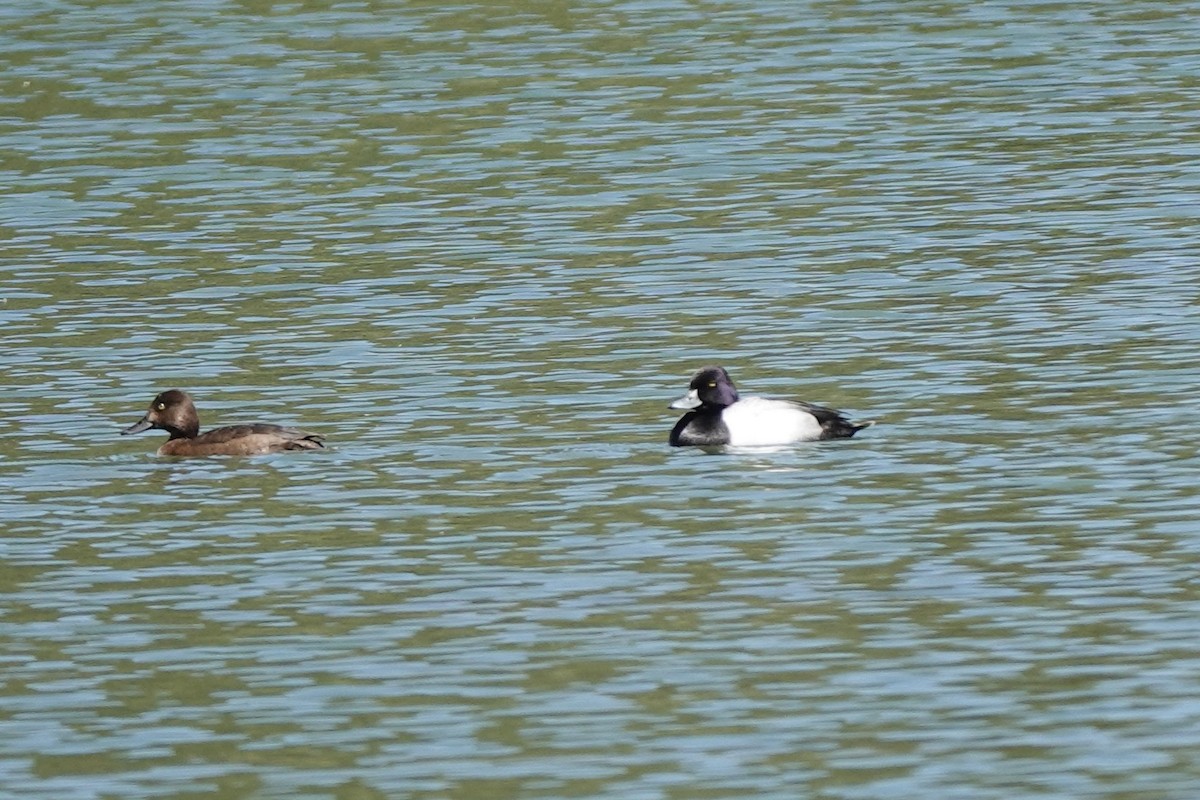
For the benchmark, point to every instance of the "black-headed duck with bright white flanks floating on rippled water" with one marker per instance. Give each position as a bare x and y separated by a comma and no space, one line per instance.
718,416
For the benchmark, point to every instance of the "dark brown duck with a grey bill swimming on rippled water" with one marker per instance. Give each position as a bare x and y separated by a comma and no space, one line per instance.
175,412
